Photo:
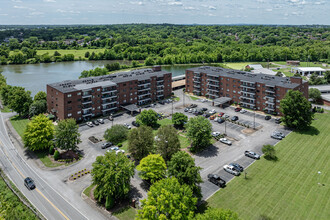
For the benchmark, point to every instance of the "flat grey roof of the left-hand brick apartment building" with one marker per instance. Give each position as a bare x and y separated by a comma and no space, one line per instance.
106,80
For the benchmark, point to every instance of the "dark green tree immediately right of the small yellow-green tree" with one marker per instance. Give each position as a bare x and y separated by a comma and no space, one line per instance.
182,166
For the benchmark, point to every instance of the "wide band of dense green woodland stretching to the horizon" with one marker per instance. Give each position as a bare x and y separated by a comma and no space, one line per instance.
169,44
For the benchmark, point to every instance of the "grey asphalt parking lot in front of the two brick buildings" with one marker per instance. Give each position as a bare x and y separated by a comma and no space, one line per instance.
213,158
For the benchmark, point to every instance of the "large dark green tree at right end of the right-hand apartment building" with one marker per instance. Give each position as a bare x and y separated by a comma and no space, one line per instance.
296,110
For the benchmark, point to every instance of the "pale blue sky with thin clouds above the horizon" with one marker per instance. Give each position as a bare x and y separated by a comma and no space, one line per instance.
294,12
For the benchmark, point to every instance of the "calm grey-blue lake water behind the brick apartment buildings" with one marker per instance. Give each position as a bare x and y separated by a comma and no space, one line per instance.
35,77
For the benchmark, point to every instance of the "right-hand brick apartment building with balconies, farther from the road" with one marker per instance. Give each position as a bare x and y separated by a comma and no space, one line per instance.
255,91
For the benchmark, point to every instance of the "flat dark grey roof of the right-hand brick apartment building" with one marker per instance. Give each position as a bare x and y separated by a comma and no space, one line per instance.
247,76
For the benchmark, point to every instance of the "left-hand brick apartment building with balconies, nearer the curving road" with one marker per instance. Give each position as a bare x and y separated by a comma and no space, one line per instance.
85,98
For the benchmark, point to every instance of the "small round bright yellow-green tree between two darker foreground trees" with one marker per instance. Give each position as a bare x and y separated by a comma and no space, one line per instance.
152,168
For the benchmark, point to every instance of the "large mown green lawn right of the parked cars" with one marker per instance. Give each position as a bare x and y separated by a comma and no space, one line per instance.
288,188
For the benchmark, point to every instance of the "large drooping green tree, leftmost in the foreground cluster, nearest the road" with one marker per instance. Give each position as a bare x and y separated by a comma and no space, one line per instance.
111,174
